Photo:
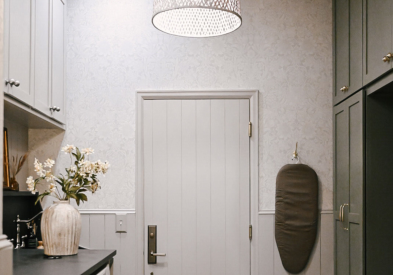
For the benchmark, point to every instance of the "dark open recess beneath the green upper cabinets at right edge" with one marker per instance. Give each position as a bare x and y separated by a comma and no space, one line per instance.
379,182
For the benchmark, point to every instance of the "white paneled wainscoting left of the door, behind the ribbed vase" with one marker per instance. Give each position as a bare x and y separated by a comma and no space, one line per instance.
99,232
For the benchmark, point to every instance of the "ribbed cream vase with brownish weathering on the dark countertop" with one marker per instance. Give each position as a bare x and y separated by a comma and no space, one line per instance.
61,229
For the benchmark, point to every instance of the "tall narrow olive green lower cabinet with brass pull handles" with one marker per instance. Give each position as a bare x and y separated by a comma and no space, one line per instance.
348,185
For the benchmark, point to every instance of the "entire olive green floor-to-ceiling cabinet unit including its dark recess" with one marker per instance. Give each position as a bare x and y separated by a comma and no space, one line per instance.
363,136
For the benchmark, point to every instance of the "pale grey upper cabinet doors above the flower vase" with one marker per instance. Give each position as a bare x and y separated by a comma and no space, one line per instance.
35,55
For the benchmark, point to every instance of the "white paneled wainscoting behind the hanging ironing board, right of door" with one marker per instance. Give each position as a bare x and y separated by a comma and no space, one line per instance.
322,258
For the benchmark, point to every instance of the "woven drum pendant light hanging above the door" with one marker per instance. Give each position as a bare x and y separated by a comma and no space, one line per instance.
197,18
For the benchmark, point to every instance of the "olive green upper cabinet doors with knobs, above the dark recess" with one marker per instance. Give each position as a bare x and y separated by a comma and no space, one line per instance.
363,46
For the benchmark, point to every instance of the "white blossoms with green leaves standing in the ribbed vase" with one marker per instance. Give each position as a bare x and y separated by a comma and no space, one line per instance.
80,177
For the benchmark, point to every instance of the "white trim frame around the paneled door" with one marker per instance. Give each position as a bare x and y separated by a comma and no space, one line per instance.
252,95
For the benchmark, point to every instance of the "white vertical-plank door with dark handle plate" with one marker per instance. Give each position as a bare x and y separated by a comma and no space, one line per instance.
197,186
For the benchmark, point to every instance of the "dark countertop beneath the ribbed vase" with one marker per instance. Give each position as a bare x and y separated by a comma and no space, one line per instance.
86,262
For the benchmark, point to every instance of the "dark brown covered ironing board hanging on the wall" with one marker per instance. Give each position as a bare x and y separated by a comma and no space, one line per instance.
296,215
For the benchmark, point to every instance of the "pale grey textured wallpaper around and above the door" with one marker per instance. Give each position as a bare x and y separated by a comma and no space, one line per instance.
283,49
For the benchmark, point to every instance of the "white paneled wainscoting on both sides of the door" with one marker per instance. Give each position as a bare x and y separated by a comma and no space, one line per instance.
99,232
